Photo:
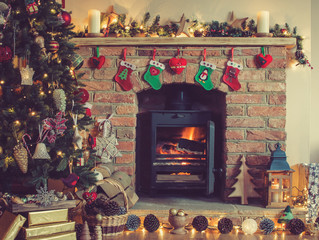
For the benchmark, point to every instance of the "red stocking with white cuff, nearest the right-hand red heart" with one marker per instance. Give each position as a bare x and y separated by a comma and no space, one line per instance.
231,74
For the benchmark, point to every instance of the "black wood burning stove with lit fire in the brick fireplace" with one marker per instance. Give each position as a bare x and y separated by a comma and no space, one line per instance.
175,150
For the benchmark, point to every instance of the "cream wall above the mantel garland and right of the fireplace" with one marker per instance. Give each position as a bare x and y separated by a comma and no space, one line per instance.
302,90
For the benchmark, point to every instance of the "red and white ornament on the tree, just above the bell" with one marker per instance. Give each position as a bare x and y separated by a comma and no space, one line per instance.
54,127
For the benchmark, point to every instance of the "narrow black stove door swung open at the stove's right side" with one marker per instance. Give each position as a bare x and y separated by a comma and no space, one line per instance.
210,180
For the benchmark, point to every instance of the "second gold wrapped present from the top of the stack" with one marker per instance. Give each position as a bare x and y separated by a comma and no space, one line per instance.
48,229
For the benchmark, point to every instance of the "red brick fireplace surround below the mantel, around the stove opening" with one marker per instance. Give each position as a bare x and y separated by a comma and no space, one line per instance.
255,116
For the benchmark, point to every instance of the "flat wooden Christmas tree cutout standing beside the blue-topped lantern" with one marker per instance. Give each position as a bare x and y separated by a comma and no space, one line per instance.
244,187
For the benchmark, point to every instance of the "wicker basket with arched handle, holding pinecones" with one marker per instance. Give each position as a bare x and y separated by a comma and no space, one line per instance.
111,225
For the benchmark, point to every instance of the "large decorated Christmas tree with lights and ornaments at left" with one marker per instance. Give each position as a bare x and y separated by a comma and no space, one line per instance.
41,103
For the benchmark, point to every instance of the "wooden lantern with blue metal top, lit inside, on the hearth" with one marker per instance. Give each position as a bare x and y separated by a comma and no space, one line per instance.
279,180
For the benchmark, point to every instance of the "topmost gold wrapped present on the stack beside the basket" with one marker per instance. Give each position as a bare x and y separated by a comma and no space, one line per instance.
49,216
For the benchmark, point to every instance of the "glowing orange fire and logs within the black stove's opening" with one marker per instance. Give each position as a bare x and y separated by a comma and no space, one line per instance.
180,148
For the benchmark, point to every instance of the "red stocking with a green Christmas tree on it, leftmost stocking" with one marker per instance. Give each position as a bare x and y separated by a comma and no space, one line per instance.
124,73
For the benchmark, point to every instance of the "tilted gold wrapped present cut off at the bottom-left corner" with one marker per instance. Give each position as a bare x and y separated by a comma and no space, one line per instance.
10,225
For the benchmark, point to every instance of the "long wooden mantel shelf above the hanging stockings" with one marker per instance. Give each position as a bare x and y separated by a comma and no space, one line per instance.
204,41
